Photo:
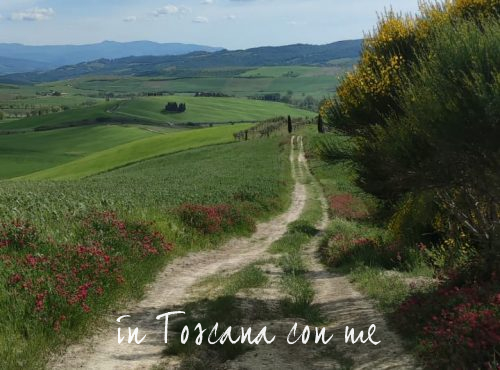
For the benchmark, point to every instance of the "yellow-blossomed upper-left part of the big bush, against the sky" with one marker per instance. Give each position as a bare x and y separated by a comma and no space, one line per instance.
367,94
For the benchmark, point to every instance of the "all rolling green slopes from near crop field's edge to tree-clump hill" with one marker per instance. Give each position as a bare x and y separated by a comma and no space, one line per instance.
84,141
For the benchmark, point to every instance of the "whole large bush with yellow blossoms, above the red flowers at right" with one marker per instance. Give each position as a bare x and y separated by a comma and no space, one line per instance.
422,108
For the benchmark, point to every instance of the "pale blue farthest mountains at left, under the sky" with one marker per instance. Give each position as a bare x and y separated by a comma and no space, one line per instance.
16,58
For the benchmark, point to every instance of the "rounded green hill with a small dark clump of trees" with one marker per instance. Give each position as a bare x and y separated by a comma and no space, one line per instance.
148,111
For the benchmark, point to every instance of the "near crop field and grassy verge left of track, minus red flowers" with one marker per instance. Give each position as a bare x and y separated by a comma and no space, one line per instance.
254,174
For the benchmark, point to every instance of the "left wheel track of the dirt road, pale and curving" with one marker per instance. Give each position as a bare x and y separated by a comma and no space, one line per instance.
171,288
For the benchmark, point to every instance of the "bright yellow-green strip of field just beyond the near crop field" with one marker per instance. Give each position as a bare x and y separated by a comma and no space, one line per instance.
139,150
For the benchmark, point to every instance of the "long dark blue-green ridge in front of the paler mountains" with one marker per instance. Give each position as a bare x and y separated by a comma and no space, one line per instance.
299,54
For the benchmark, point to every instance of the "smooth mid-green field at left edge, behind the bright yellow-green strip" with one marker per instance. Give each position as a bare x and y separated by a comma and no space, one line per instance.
24,153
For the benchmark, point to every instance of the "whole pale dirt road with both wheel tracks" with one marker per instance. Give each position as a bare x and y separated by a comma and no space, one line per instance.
340,304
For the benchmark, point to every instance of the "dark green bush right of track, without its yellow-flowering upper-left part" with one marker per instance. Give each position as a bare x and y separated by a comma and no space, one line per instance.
447,138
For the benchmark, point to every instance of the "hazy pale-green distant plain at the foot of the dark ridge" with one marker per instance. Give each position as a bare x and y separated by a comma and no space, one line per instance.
315,81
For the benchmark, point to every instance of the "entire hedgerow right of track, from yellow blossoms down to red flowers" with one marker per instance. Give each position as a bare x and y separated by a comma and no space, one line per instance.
421,111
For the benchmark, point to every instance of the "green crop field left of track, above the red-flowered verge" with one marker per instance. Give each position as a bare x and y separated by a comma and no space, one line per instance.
210,174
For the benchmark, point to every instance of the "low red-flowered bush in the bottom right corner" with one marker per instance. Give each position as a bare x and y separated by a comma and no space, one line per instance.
457,327
